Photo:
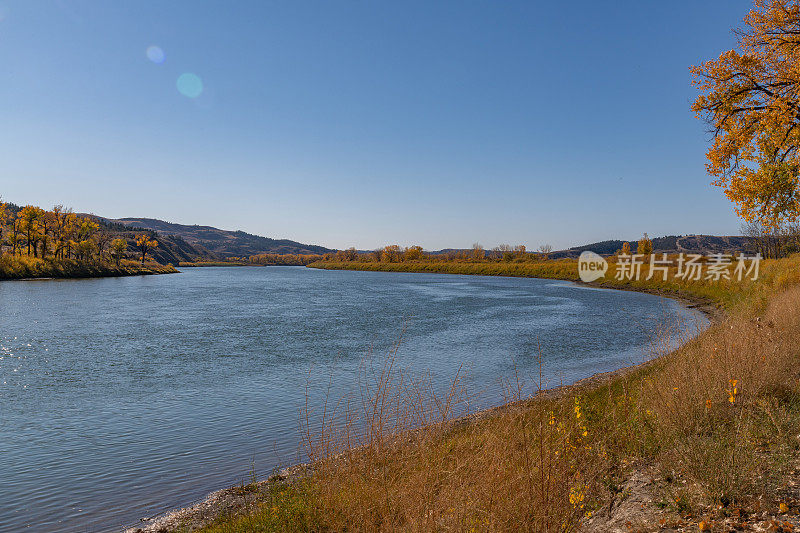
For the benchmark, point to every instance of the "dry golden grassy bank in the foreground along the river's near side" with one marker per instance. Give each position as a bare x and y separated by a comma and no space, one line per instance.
707,433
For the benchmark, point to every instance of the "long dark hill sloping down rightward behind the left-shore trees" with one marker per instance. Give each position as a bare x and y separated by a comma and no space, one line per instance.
222,244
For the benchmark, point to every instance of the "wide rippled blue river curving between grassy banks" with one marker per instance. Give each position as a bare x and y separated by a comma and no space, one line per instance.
123,397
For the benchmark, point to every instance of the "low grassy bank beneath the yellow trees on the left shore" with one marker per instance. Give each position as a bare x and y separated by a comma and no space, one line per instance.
23,267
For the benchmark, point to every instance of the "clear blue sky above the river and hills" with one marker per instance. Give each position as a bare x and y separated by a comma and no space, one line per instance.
367,123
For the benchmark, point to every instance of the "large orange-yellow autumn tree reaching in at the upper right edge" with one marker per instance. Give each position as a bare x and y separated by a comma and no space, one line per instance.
751,99
